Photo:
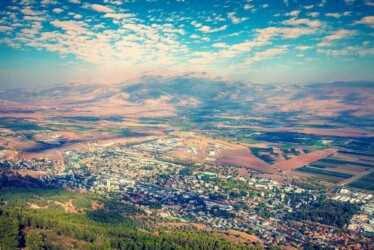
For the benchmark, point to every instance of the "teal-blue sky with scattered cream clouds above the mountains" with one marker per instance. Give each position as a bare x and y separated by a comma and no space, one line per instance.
291,41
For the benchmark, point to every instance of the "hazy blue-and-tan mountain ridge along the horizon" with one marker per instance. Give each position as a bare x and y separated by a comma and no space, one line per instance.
183,91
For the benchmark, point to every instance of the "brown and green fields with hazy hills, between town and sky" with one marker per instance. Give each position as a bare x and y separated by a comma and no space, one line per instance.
241,125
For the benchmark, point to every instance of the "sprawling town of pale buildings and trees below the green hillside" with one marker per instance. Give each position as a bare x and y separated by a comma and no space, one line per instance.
219,197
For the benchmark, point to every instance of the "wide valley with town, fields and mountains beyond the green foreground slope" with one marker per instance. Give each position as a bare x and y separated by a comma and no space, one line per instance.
226,155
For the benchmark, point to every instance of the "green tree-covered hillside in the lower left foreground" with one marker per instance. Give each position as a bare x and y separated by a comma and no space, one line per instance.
114,226
